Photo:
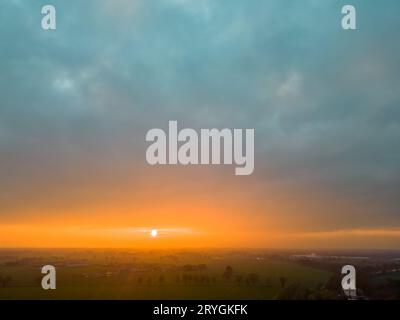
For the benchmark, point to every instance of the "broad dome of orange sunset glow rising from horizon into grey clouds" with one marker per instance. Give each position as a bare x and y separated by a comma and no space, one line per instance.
209,213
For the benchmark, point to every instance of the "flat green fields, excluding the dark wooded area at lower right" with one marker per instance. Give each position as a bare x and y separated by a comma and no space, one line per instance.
154,276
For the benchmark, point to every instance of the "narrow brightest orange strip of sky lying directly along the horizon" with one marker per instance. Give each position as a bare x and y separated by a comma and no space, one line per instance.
31,236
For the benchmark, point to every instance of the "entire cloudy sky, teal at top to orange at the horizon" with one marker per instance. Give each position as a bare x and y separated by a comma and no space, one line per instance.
76,103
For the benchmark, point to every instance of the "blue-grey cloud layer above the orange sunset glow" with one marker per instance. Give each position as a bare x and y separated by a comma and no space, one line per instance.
324,102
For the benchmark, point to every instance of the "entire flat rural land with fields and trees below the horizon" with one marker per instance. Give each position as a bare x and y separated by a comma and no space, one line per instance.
196,274
